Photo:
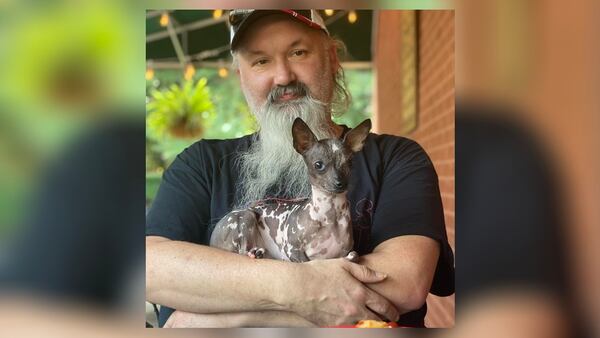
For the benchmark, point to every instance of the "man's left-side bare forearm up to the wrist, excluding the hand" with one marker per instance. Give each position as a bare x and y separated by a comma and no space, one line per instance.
202,279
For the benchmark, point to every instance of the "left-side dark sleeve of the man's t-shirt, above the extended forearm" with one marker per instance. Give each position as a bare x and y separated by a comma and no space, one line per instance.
180,210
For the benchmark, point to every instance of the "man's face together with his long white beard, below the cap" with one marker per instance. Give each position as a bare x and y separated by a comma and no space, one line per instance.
285,70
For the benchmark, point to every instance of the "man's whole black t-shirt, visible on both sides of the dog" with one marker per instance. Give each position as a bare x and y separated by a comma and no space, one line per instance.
393,191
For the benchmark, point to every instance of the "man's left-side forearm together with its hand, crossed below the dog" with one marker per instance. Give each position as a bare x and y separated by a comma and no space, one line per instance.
201,279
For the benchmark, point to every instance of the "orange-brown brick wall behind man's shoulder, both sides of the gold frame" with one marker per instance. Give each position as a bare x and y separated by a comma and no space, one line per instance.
435,125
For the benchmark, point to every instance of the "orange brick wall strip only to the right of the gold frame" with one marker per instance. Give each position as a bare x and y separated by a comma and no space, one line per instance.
435,131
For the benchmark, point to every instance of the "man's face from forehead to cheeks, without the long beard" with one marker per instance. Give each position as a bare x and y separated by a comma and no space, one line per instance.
278,51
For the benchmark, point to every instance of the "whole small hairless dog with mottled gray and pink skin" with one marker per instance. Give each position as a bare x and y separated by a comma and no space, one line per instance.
300,230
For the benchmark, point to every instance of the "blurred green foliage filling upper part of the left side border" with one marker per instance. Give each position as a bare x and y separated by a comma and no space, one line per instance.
64,71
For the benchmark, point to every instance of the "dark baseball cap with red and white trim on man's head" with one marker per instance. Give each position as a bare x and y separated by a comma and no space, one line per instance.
241,19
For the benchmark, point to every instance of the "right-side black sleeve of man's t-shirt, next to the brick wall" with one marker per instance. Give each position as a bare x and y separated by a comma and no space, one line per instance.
409,203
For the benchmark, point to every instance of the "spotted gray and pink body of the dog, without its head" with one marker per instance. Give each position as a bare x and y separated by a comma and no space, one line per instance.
316,228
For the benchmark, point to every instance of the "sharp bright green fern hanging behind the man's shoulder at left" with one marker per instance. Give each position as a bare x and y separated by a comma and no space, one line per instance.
181,111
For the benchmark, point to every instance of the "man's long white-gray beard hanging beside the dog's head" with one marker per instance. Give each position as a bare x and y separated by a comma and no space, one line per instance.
272,167
